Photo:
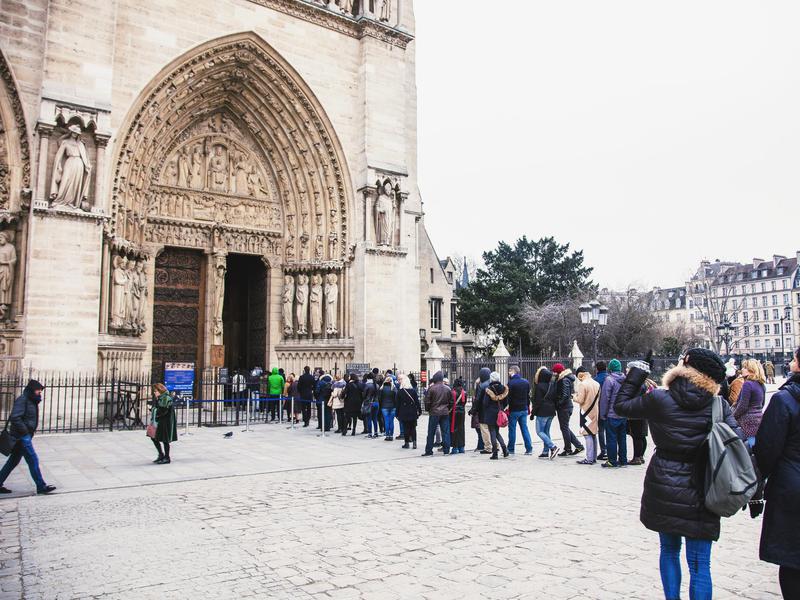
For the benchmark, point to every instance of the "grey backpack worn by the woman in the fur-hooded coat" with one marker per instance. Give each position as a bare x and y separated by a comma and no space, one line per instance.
730,479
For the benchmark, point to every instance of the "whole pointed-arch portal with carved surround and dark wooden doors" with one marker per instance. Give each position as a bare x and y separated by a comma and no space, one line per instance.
230,206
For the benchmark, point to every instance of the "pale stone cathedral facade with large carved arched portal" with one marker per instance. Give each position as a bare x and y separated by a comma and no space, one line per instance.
230,184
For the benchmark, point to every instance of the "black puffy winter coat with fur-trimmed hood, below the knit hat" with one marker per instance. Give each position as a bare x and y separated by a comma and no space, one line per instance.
680,418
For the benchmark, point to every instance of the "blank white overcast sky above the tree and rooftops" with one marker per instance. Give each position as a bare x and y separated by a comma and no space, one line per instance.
650,135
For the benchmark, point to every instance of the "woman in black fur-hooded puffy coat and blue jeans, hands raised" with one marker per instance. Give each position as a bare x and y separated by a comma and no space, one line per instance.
672,502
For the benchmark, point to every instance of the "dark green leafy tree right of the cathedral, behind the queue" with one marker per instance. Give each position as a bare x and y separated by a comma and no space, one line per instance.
529,273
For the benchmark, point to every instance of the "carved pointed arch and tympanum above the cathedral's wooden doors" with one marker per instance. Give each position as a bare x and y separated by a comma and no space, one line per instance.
230,134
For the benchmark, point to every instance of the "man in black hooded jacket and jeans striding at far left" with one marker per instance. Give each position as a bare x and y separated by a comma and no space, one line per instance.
23,421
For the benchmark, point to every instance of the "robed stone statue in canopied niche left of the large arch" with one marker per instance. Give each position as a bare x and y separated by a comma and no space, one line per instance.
71,169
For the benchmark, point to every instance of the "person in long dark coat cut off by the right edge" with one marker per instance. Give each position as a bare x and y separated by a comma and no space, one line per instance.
777,451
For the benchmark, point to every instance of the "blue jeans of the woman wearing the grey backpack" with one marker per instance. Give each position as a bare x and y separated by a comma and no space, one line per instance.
698,555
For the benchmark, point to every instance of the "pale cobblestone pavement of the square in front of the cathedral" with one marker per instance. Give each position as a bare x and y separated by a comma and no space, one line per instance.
282,514
